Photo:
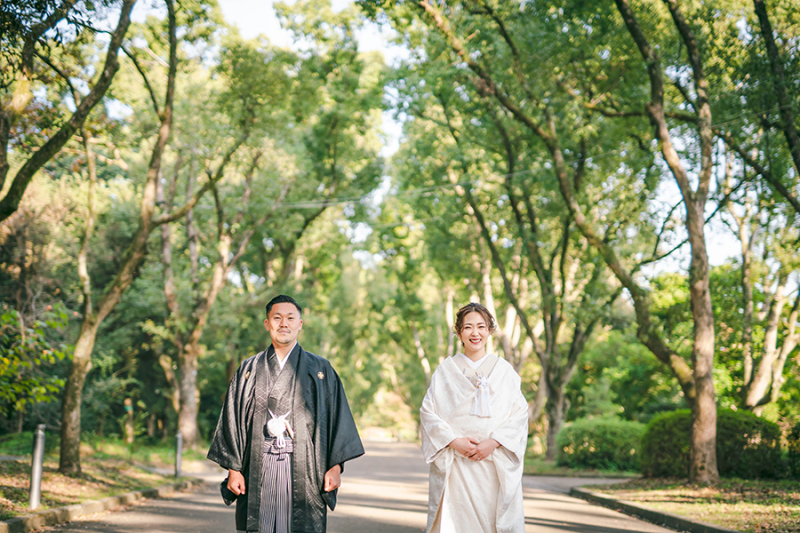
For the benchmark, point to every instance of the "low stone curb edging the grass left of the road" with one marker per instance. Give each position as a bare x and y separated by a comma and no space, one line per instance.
59,515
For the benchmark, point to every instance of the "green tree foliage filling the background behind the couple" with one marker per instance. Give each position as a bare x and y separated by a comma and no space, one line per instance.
381,250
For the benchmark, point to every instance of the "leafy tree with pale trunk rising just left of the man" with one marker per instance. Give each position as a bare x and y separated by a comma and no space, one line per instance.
316,109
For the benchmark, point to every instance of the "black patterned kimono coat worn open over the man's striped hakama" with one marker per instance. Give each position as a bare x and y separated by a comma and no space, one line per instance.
325,435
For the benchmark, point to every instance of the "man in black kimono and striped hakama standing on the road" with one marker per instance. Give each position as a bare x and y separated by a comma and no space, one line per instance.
284,433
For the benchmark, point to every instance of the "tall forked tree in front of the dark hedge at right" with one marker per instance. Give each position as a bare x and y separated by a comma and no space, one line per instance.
541,107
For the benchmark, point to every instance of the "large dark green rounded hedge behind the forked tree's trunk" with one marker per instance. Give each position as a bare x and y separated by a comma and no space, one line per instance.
747,446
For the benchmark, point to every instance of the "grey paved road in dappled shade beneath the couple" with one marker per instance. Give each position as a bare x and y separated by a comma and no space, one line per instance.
384,492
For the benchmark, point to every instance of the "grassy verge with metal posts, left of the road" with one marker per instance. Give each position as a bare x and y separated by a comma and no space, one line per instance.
110,467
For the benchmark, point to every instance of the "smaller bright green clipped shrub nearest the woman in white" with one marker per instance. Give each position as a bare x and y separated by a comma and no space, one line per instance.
607,443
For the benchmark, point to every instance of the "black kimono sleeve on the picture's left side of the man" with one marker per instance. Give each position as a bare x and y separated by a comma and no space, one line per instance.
230,439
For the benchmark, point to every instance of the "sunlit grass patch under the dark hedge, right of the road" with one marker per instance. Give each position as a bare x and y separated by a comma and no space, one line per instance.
753,506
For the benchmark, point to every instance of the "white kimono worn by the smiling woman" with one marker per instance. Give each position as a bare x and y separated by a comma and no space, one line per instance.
466,496
